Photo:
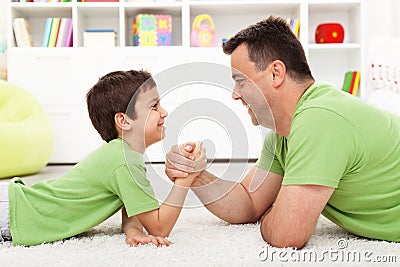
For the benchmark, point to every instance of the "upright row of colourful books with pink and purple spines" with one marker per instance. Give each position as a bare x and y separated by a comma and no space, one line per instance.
57,32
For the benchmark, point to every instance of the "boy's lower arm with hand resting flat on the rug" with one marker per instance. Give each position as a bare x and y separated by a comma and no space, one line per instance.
133,230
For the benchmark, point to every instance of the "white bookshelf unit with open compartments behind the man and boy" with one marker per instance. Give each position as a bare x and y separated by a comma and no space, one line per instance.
60,77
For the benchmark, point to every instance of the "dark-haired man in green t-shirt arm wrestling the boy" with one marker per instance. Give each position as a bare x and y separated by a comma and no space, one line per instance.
330,152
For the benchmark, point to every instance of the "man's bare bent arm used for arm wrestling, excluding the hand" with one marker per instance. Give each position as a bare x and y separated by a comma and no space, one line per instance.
238,202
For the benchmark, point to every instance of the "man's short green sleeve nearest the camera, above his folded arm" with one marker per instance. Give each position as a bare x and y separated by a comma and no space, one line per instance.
321,148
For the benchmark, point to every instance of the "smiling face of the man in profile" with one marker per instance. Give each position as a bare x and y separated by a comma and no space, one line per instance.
250,87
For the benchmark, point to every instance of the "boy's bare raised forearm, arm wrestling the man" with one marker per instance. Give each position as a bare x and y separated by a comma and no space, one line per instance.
161,221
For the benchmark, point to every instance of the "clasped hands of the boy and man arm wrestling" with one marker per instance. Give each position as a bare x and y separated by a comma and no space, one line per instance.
188,158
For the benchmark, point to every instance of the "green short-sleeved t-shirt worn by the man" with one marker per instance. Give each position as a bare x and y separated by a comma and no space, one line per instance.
339,141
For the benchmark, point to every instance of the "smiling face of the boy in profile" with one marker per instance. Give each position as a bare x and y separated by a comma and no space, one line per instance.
150,116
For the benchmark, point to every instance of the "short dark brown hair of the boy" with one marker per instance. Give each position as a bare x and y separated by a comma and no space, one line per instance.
115,92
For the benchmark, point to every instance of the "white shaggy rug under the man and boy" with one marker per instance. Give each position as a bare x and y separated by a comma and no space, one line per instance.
201,239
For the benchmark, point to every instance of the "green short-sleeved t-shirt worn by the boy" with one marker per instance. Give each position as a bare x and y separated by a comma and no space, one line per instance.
110,177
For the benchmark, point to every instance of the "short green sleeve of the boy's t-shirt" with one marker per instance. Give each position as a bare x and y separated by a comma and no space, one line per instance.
134,189
